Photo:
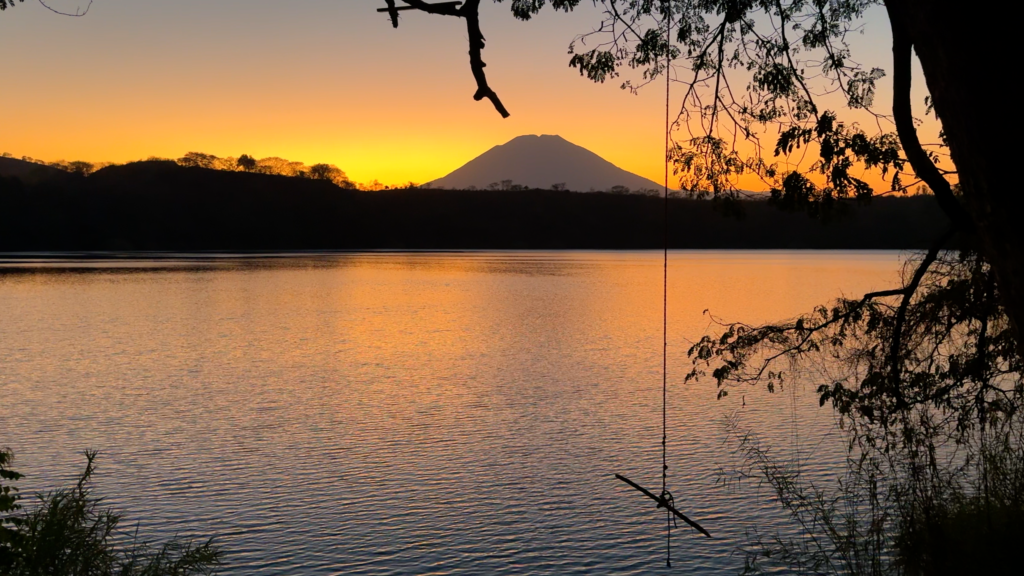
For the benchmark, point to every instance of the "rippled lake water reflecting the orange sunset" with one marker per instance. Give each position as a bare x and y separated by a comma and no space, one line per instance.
410,414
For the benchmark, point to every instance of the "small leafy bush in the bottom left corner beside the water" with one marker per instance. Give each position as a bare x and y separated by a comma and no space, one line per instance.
69,532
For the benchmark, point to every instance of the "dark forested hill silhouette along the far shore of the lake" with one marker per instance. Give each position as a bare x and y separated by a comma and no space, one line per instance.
164,207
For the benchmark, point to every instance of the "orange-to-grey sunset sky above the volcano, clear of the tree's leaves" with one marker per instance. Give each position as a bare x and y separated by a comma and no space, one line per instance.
316,81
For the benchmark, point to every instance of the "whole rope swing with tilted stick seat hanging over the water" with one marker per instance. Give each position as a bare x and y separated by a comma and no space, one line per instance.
665,500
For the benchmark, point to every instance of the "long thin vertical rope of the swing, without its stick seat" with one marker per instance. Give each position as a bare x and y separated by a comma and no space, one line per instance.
665,292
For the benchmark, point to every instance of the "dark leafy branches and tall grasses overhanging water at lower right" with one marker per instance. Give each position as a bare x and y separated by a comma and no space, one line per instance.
927,384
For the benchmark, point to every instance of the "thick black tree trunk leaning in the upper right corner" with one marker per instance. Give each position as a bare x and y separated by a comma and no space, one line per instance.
957,44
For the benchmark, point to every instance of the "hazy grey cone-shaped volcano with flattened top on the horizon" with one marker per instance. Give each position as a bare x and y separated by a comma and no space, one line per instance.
541,162
